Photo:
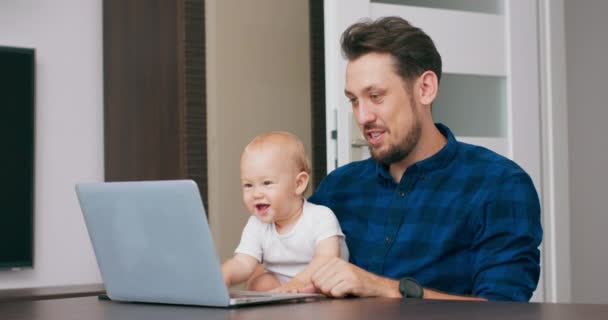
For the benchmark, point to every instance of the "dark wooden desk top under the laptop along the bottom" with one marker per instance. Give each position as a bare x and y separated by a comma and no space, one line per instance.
339,309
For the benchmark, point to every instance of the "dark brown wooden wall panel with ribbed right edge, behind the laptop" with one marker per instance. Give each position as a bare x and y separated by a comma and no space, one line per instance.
154,90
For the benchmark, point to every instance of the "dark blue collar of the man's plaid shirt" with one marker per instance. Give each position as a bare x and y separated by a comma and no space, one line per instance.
436,161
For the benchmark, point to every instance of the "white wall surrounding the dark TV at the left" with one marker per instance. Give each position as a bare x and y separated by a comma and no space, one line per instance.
67,36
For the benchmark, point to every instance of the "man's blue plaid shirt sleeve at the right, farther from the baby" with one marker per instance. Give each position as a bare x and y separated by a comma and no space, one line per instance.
506,260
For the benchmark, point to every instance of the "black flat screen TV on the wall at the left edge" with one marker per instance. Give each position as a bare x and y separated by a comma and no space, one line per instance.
17,100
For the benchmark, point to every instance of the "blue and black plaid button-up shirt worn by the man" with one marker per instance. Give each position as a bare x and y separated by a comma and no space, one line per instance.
464,221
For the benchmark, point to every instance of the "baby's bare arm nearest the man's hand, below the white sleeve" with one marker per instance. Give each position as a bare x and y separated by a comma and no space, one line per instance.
325,250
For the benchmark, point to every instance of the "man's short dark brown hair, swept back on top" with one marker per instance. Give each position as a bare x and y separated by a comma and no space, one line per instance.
413,50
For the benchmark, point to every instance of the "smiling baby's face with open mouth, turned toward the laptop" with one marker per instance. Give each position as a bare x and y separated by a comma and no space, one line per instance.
269,185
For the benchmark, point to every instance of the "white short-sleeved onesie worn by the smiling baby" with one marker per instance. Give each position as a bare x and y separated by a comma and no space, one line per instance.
288,254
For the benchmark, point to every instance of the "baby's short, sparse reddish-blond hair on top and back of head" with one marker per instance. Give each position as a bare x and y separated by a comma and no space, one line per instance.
289,145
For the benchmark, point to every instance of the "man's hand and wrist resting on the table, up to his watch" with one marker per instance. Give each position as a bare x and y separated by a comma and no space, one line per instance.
338,278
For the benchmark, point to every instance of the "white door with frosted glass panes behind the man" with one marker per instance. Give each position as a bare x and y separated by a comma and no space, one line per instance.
489,93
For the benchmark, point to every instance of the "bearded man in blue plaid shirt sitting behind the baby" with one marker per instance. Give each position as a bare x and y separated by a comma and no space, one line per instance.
426,216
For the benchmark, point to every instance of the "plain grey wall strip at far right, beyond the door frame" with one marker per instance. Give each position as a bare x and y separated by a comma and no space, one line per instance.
587,67
